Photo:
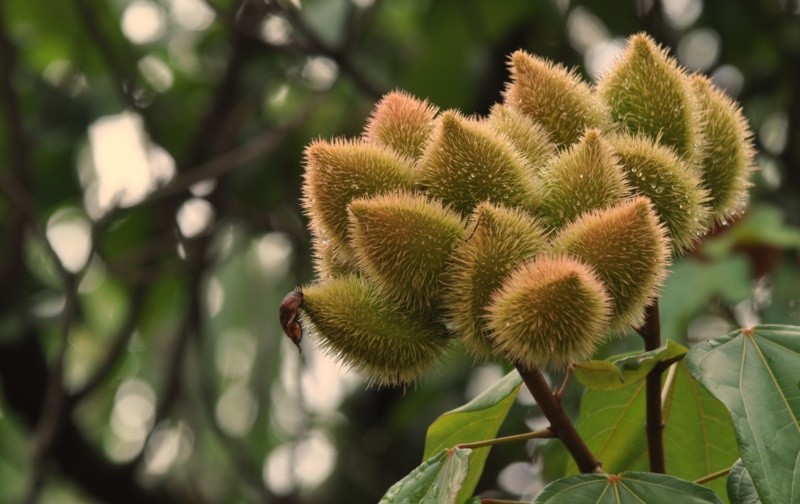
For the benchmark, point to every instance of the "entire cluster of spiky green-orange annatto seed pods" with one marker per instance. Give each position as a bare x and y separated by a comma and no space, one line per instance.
532,234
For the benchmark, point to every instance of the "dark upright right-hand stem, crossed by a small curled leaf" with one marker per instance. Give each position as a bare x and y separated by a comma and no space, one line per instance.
654,424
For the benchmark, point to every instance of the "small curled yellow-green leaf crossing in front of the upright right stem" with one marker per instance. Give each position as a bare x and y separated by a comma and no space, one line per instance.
614,374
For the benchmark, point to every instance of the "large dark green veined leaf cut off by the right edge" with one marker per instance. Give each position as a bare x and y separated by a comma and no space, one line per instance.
756,374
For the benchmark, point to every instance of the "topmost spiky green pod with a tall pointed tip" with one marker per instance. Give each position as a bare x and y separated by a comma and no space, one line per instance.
648,93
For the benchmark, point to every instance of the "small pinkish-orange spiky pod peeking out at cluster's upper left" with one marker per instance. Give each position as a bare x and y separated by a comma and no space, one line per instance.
401,122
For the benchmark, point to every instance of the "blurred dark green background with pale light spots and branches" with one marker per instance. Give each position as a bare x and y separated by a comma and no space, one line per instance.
150,167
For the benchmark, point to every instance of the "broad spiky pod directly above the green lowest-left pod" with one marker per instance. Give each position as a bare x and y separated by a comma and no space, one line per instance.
403,242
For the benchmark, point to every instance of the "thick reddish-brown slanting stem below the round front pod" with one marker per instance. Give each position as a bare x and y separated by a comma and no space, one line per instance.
560,423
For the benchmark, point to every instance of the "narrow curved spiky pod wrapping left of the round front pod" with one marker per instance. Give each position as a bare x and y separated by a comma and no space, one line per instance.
500,239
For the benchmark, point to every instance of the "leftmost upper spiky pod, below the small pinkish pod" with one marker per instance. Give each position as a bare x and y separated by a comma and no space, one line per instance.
338,172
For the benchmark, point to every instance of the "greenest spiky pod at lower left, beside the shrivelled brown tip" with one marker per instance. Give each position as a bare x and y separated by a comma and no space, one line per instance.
360,327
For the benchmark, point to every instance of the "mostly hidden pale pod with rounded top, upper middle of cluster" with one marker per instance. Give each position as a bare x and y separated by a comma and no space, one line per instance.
529,138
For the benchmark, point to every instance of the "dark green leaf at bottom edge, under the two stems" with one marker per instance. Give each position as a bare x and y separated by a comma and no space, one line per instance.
631,487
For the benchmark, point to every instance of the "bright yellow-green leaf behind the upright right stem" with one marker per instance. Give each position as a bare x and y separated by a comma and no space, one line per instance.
698,437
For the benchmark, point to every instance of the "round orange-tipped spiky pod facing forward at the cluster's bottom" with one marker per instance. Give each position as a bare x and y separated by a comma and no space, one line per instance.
550,312
